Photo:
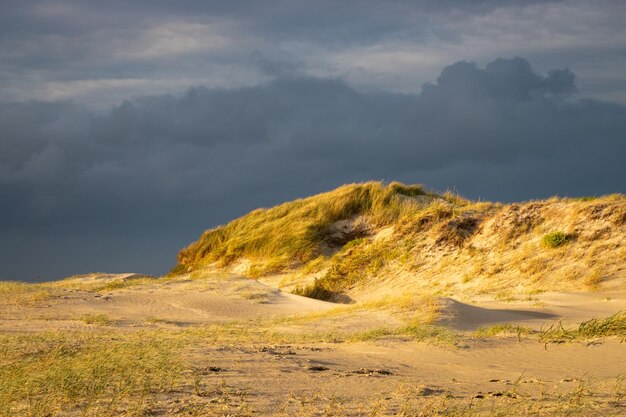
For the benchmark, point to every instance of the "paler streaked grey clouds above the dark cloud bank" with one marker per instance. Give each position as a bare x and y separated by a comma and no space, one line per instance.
102,52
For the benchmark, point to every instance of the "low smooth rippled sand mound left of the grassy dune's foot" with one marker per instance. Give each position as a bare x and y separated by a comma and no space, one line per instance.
212,299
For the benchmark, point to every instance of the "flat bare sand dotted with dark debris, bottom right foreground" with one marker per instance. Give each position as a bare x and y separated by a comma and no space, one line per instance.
358,378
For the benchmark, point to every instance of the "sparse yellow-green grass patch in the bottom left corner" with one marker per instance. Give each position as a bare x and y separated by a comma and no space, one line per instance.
104,374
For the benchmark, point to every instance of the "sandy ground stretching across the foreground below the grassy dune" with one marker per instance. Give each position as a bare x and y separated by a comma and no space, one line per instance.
244,348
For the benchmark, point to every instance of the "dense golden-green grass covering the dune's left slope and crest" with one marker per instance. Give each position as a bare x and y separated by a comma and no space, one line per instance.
295,231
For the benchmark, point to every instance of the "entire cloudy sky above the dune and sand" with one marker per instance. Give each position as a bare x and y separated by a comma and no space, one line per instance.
128,128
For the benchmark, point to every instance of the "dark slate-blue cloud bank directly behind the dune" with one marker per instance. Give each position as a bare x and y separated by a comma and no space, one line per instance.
125,189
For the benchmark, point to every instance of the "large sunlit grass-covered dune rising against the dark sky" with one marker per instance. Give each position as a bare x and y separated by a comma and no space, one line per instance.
332,244
